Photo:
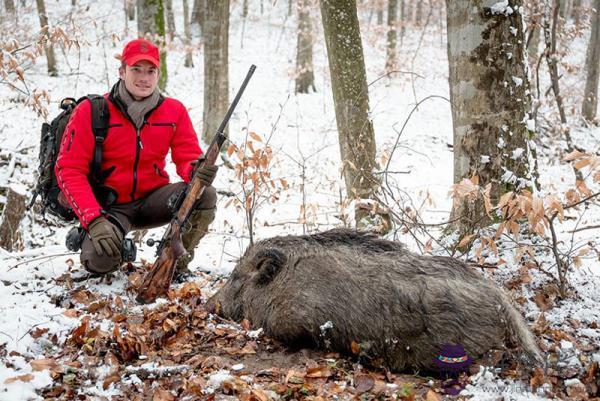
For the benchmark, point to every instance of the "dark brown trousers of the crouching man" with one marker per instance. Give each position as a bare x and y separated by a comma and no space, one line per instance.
149,212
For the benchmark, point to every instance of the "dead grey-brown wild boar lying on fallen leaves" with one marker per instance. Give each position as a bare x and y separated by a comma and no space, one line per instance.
341,287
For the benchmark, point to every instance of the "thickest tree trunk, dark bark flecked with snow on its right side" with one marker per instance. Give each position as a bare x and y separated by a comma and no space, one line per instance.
489,100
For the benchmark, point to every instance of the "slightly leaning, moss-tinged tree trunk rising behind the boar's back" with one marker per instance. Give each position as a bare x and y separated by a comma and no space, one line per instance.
350,95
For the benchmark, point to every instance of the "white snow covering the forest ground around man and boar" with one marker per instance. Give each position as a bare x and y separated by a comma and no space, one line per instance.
301,130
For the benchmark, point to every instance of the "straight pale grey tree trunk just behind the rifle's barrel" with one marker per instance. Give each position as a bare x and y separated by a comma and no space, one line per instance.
216,66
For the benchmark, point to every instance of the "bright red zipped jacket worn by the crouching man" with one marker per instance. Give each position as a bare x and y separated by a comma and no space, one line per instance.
138,158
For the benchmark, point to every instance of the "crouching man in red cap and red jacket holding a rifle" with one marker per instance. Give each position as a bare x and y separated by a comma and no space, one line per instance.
143,126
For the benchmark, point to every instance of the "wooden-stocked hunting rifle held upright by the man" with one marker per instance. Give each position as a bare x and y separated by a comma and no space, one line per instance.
158,280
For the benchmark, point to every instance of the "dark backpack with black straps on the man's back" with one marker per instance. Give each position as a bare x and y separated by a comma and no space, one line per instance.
47,187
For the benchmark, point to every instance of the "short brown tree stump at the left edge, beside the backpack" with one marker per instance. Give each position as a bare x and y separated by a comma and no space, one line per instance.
10,236
